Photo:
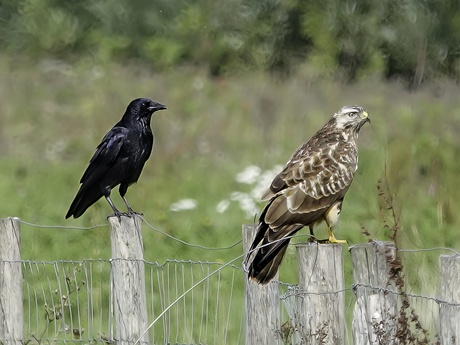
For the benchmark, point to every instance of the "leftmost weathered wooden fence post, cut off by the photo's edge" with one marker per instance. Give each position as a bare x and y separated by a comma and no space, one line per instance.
11,310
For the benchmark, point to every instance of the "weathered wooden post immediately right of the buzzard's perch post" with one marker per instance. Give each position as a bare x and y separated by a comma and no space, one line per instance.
375,311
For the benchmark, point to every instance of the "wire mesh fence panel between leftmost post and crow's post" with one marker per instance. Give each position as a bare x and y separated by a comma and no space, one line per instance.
67,301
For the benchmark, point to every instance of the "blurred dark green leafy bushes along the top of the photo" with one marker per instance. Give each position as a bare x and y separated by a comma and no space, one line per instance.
410,39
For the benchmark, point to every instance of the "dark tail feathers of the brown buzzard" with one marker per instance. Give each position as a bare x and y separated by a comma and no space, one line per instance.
268,256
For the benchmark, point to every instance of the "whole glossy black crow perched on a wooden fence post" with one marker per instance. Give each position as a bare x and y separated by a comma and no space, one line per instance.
118,159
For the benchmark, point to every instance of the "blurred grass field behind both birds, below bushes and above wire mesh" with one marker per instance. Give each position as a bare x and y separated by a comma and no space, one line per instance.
53,115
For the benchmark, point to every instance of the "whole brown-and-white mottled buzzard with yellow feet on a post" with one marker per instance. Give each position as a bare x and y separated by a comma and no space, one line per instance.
310,189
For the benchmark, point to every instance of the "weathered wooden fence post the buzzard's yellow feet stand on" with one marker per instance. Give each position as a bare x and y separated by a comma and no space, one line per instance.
321,311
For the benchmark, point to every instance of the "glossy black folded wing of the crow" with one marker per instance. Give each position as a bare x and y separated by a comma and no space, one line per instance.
105,156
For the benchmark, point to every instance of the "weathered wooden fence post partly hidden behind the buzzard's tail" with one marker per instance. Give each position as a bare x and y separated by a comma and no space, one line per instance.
262,304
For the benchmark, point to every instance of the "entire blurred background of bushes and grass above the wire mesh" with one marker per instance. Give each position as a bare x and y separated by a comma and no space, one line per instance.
245,82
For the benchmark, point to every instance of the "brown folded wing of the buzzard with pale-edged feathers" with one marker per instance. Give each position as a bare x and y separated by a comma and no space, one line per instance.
309,183
